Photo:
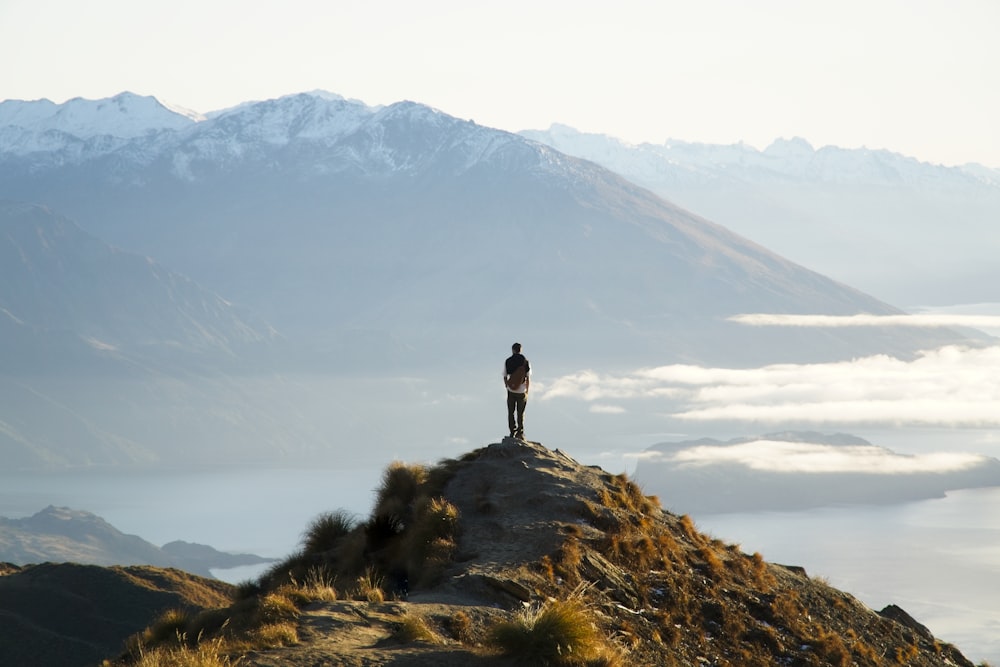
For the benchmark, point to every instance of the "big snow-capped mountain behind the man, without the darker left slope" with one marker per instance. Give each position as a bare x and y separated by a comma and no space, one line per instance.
330,218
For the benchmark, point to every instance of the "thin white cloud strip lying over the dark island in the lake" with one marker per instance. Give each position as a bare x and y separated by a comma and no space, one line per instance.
803,457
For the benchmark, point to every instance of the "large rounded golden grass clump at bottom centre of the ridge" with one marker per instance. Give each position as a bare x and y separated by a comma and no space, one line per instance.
561,633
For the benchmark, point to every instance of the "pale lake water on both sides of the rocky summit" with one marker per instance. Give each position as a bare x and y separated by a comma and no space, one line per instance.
937,559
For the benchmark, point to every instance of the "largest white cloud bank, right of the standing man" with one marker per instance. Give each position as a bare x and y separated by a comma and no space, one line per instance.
951,386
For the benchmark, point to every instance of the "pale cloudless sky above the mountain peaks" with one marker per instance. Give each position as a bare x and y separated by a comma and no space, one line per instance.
915,77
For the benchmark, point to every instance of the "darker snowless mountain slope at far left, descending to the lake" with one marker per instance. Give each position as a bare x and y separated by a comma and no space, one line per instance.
112,358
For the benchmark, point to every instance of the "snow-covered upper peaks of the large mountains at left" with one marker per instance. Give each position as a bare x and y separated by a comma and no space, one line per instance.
331,132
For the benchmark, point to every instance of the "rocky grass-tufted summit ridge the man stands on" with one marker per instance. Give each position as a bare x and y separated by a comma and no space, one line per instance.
518,554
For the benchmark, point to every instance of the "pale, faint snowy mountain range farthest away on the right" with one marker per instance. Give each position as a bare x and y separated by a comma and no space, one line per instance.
909,232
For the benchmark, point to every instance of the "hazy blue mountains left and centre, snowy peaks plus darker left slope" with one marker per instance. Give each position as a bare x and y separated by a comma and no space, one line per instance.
216,256
